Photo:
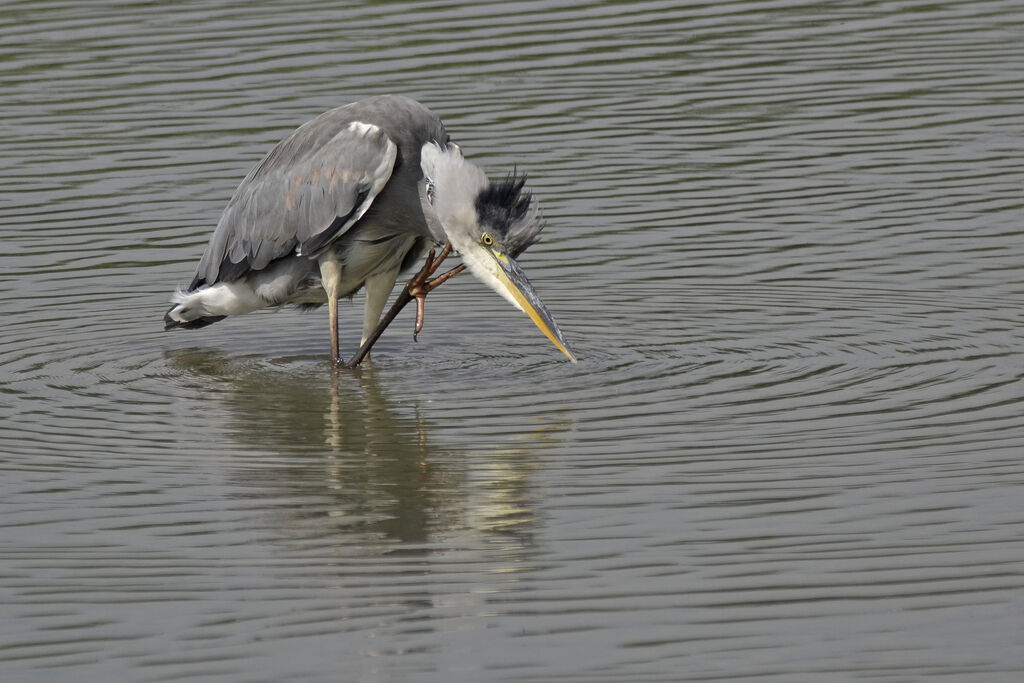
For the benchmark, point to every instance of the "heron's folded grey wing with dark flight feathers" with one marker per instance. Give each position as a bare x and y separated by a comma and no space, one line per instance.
308,192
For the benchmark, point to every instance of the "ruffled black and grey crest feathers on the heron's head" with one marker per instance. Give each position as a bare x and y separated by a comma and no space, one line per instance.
504,208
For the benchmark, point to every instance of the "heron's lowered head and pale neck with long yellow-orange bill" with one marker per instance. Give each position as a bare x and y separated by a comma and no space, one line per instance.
490,225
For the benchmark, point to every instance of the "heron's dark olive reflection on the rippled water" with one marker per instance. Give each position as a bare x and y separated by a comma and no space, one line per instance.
351,465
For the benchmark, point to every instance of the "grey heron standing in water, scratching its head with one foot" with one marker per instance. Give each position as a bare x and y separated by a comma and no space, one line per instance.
351,200
